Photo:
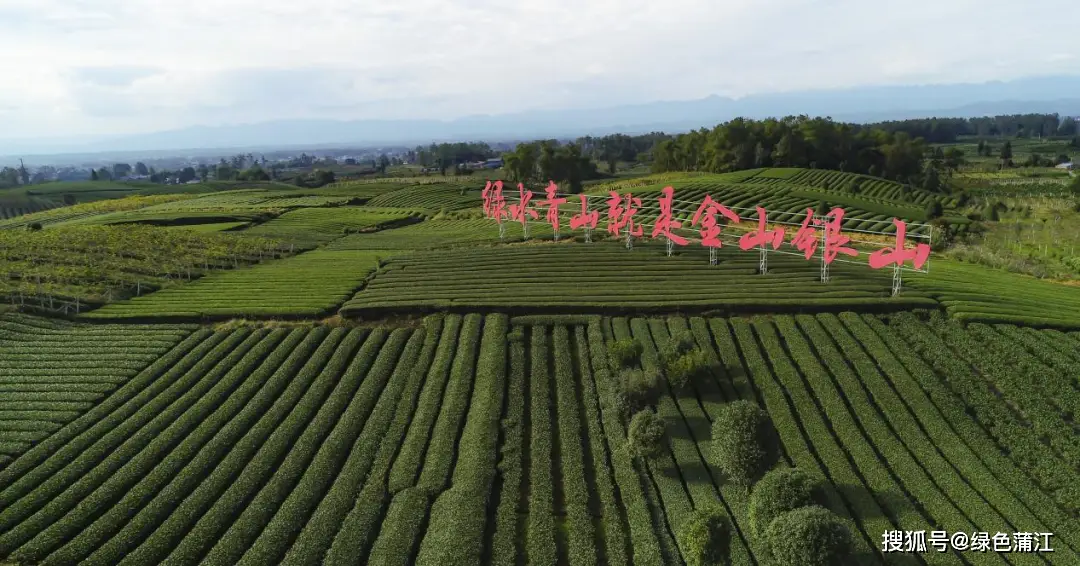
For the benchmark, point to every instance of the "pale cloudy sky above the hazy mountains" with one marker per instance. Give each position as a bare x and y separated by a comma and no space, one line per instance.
116,68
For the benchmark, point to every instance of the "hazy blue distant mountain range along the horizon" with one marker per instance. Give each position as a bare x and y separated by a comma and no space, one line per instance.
866,104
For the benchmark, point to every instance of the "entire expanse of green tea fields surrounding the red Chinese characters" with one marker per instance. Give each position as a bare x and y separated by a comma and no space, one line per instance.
368,373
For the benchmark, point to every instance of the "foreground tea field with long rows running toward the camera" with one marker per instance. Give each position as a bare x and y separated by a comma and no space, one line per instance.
476,439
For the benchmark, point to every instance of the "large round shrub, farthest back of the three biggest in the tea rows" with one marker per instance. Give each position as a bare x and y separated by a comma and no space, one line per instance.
745,442
